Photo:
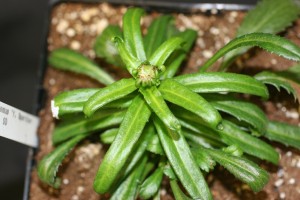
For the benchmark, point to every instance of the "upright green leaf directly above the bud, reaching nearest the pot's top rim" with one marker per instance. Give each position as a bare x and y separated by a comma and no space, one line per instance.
132,32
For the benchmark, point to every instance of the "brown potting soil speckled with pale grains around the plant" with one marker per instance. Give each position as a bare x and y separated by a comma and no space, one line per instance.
75,26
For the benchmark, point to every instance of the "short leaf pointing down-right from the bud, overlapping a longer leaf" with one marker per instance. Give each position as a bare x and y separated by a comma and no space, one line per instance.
158,105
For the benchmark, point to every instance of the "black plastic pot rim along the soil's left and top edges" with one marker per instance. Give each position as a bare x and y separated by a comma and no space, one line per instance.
187,6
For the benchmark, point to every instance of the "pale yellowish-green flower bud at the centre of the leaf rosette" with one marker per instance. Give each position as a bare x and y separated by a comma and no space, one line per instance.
148,75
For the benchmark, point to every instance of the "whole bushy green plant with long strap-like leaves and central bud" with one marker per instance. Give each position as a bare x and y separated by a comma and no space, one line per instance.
159,124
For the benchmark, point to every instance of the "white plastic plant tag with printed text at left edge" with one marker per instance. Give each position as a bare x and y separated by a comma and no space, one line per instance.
18,125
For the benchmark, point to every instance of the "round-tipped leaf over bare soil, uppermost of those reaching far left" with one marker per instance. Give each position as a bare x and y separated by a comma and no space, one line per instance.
67,59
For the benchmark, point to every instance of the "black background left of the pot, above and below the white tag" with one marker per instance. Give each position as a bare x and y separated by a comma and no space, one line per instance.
21,37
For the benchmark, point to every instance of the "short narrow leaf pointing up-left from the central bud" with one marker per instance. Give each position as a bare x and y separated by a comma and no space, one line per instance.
131,62
